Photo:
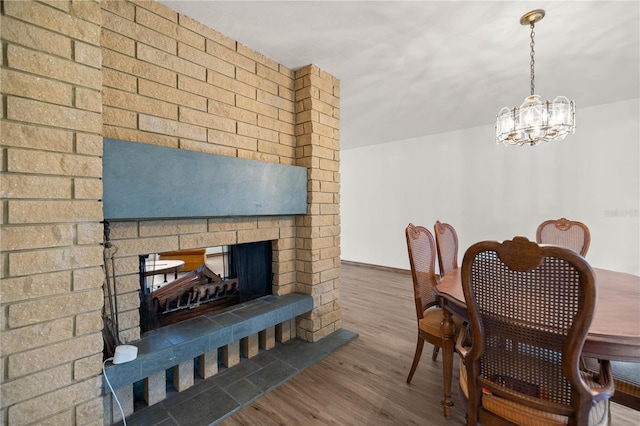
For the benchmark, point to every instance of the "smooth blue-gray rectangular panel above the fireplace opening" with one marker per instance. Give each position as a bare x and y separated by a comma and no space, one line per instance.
143,181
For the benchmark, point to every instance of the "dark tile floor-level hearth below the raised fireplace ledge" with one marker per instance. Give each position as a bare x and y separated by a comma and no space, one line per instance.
209,401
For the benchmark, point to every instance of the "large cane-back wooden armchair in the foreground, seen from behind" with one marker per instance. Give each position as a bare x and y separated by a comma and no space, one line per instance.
530,308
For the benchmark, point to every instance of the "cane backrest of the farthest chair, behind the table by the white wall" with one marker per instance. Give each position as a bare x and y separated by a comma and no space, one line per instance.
565,233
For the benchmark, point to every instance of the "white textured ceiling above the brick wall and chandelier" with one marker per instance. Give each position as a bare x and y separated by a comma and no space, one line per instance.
414,68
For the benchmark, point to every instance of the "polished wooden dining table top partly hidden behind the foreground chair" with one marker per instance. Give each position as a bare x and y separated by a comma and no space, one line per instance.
615,330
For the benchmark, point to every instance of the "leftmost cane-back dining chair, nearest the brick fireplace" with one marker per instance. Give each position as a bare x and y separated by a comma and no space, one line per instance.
422,257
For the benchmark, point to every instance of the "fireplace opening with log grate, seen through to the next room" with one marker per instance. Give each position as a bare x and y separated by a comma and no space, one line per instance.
178,285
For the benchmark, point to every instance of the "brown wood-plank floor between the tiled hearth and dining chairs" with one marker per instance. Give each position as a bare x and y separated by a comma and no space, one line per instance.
364,383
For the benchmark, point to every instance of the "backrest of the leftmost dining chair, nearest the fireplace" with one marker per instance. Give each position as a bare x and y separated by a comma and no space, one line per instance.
422,257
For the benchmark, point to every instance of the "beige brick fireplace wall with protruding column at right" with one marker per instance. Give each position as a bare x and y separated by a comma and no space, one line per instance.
74,72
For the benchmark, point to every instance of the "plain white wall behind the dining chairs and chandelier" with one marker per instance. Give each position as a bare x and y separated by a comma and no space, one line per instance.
490,192
